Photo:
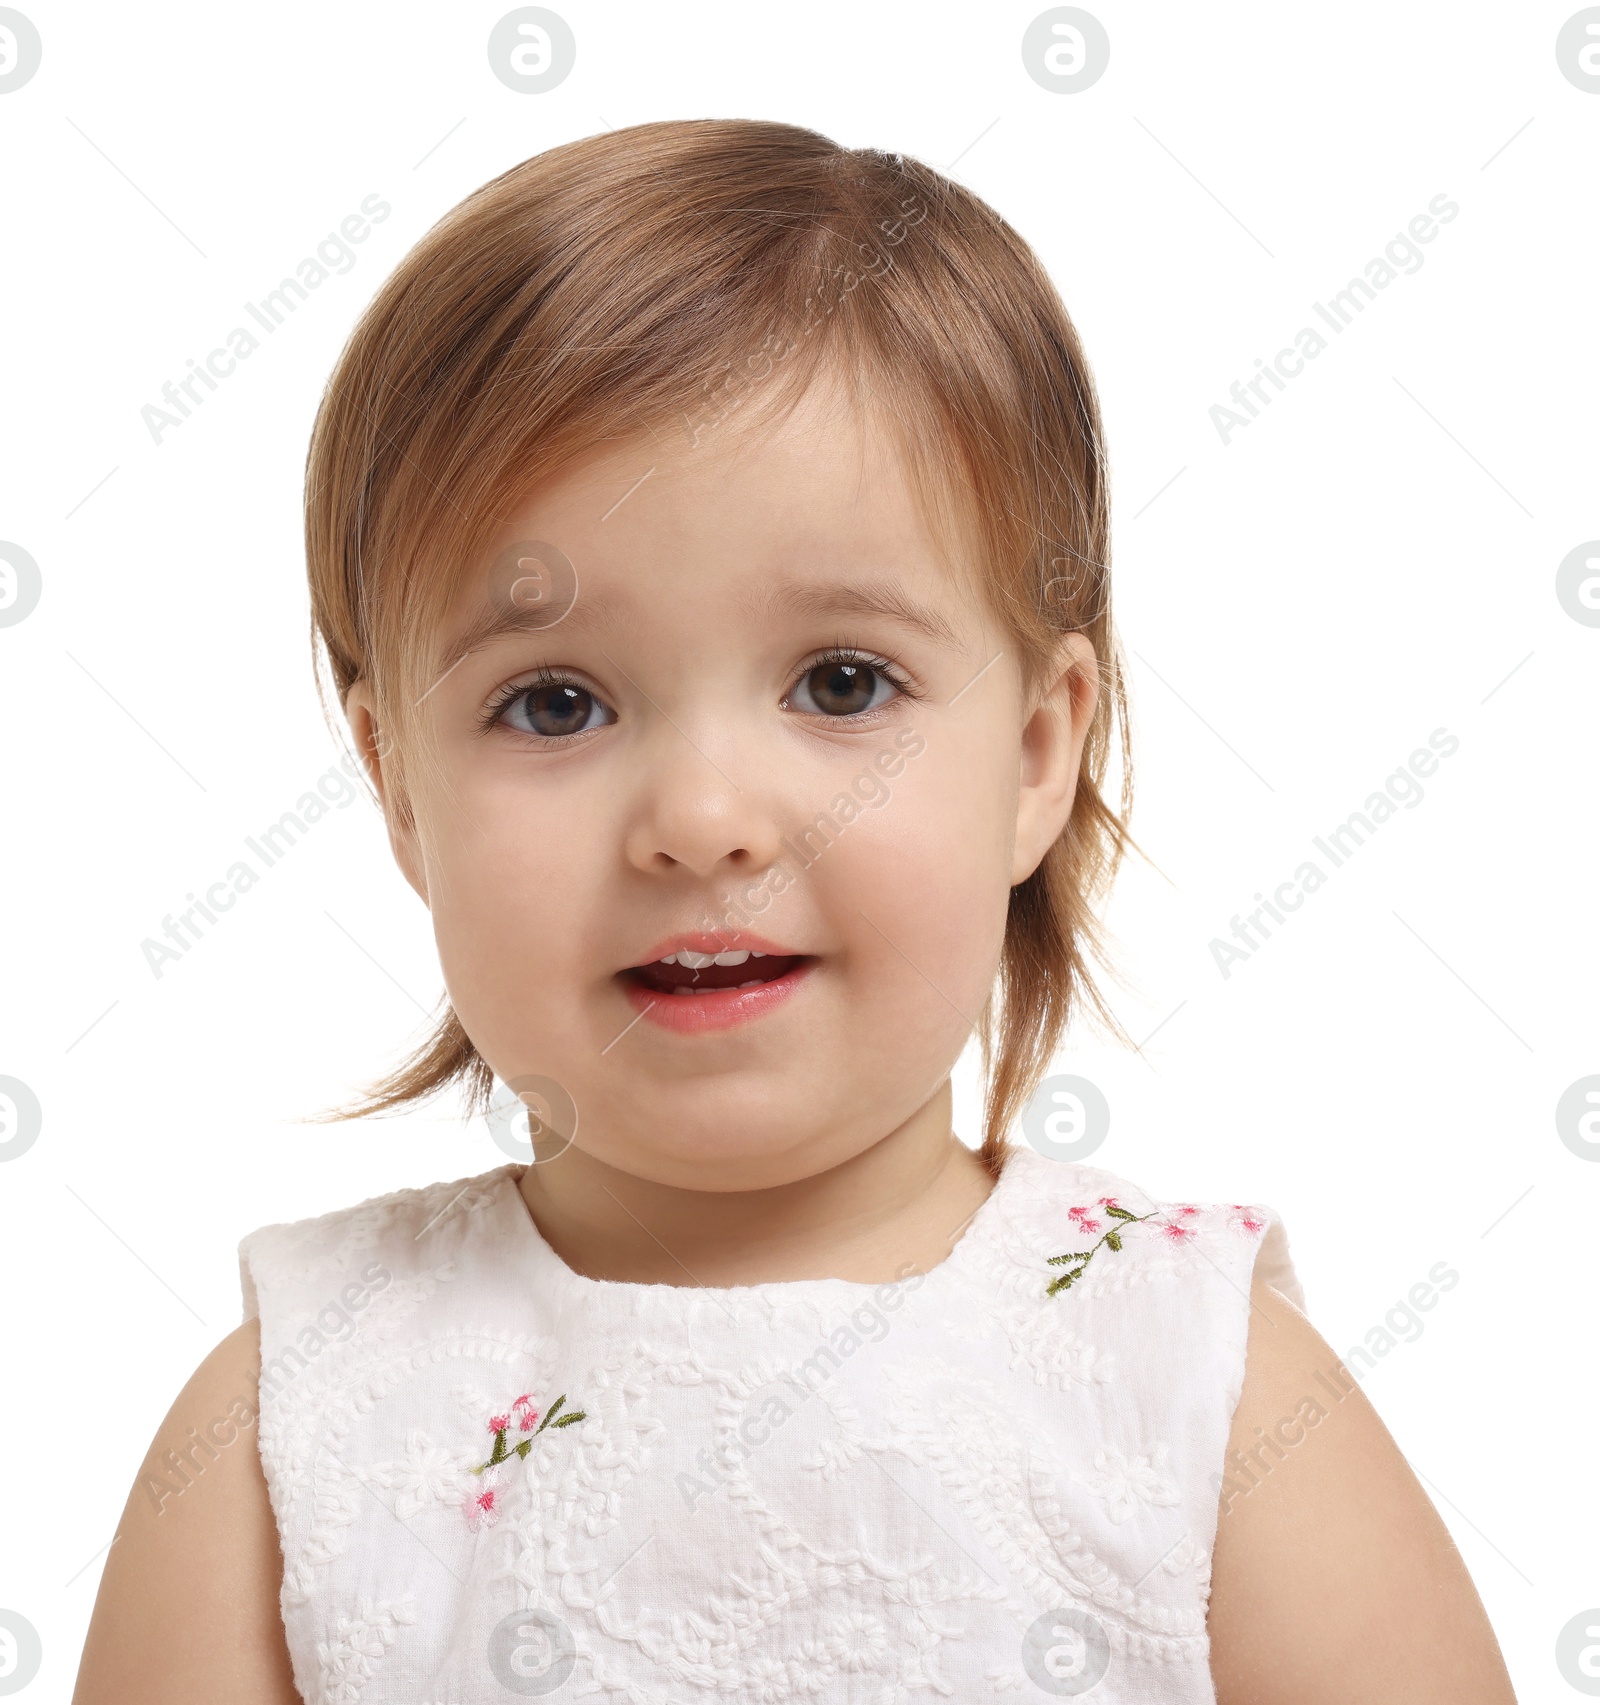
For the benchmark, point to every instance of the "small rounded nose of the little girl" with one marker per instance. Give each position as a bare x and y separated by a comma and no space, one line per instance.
702,812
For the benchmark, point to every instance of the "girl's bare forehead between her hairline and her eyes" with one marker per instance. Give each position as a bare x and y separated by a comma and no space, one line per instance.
811,514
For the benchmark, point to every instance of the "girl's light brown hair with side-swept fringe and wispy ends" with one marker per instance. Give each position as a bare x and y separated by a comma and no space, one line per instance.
664,277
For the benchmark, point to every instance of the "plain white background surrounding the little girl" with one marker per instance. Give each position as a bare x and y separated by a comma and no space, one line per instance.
1372,560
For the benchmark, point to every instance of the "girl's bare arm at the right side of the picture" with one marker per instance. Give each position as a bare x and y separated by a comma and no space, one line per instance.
1335,1578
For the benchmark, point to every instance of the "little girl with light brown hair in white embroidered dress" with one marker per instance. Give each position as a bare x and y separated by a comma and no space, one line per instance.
707,533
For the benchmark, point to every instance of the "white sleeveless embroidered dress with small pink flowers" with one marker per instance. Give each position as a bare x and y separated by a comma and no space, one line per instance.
496,1477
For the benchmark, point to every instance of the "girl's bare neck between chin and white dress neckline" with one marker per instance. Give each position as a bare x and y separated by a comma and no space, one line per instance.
896,1208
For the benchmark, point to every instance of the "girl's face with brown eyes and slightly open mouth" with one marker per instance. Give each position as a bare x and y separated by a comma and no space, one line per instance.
728,850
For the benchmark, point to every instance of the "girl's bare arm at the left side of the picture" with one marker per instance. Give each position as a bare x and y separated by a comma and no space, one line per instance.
188,1605
